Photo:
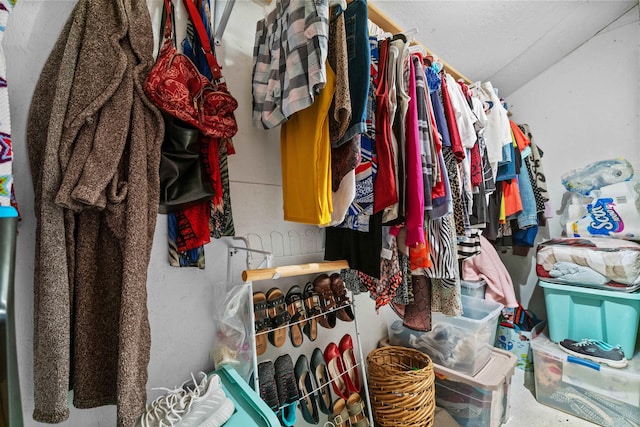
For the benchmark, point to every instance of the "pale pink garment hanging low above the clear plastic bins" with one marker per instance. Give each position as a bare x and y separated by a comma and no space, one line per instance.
489,267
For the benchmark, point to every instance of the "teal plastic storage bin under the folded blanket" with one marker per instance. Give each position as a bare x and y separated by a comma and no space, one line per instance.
575,313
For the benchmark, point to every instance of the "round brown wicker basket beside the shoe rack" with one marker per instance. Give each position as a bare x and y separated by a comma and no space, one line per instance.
401,387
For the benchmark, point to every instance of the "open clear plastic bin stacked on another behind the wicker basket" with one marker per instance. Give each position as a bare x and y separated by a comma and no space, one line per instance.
463,343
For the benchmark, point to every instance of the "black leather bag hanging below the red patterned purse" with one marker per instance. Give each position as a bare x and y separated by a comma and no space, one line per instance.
183,181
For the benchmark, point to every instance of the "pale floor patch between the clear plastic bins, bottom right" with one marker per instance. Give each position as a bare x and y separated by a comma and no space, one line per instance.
525,410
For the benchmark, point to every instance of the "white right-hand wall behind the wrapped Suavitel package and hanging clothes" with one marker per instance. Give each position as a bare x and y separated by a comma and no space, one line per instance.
583,109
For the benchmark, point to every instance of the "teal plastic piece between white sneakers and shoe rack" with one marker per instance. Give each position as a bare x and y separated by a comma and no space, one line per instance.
250,408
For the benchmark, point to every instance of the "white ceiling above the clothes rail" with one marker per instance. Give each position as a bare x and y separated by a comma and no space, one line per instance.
506,42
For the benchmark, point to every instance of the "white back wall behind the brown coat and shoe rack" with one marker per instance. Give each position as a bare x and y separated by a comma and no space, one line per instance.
182,301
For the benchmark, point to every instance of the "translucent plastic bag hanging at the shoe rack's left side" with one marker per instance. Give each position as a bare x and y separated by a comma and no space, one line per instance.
233,334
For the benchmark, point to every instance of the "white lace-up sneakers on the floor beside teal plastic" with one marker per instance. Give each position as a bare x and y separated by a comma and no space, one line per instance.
202,404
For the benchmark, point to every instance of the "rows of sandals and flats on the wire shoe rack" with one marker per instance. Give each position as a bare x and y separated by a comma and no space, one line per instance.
308,384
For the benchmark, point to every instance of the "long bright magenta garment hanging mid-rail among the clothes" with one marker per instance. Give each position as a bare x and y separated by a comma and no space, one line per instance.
415,191
